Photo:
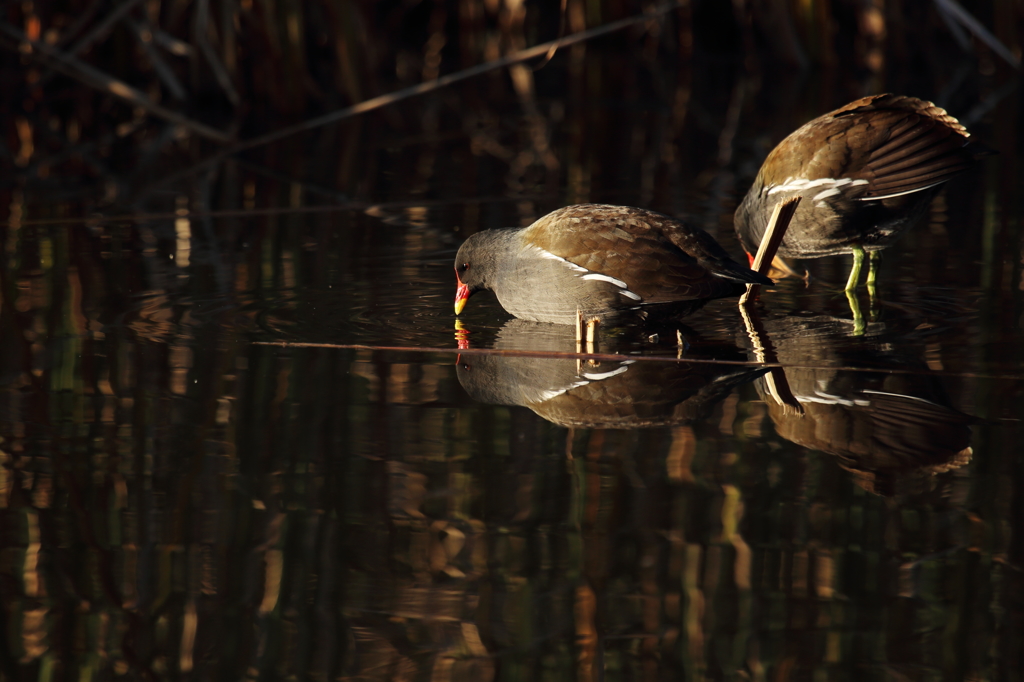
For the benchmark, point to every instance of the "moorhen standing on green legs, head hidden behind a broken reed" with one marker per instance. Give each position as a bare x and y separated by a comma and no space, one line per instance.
867,173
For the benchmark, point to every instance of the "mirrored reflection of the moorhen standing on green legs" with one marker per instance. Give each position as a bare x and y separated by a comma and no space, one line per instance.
887,428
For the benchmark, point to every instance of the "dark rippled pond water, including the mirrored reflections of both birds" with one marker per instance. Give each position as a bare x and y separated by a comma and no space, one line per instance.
187,490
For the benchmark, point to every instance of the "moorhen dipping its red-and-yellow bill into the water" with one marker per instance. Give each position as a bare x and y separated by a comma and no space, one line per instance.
606,262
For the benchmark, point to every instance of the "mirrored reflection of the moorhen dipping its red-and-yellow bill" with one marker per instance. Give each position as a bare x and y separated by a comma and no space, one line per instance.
610,395
